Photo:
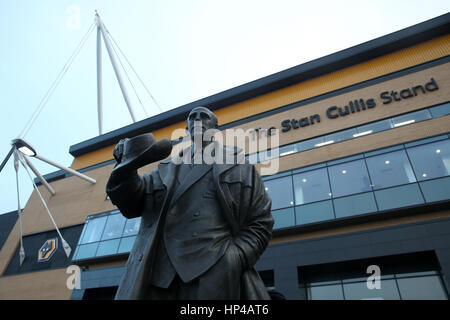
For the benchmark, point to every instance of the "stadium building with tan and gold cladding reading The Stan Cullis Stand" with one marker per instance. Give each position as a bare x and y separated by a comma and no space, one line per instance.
362,189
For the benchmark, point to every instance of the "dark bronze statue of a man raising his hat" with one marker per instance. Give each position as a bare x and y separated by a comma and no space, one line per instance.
203,226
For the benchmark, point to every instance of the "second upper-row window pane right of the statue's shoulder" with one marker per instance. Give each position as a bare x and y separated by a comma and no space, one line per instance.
311,186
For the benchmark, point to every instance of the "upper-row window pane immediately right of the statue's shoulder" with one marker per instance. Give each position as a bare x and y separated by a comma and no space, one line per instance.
280,191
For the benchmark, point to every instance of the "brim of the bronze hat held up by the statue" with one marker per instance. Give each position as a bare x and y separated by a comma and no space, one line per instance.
157,151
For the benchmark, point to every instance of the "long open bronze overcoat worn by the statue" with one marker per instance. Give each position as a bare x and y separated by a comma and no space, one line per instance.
241,196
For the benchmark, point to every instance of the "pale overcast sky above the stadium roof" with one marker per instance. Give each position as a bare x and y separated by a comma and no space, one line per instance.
183,50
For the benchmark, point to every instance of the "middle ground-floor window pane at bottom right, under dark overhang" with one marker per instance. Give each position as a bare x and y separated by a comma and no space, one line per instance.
360,291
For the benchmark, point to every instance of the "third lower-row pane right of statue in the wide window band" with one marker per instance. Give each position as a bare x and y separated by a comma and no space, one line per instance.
354,205
